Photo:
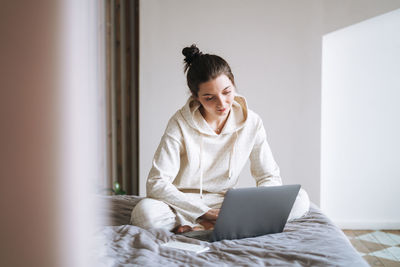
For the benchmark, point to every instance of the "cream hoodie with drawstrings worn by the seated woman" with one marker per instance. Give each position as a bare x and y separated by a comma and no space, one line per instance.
192,156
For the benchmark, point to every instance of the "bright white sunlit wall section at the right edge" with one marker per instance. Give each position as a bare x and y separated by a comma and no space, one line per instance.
360,174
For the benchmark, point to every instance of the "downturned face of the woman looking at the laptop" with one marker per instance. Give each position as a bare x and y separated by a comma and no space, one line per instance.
216,97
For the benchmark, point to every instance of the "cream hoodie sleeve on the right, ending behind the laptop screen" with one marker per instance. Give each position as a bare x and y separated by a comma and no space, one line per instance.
262,164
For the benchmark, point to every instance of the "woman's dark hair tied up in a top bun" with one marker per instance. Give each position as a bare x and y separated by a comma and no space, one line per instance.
203,67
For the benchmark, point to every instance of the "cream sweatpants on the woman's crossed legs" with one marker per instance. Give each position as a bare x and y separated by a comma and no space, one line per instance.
152,213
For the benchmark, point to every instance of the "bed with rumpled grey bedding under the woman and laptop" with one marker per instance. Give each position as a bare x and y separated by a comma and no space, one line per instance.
312,240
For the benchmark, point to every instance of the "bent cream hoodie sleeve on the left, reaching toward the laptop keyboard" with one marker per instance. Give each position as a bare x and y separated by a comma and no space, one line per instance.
165,167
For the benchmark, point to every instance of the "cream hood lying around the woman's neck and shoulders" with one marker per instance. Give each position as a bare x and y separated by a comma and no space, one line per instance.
236,119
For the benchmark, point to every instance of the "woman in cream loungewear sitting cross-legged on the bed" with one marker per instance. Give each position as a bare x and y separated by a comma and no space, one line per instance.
203,150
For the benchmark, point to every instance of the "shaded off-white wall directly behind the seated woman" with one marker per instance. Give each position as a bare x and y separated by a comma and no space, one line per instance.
274,49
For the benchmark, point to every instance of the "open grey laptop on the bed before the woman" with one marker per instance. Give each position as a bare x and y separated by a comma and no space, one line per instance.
251,212
